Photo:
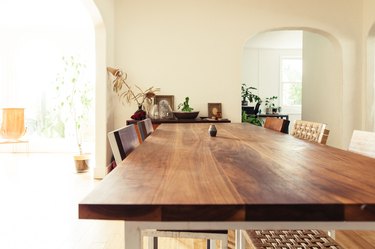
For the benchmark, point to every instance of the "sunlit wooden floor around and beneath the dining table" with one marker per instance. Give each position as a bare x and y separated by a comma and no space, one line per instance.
39,195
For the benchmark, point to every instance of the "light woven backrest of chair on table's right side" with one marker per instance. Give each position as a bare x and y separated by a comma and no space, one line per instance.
311,131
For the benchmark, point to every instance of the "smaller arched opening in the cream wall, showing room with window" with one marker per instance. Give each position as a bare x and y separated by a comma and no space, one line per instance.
311,60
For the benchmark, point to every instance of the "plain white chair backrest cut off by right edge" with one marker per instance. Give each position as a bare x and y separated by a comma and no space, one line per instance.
363,142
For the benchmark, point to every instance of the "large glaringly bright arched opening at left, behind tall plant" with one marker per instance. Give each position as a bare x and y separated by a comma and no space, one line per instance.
32,61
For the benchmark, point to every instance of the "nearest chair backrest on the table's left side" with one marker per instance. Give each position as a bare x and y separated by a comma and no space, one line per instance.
123,141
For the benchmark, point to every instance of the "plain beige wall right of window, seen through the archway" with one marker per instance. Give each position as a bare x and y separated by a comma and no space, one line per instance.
322,88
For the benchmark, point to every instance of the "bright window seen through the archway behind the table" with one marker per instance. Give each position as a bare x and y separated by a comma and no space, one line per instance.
291,83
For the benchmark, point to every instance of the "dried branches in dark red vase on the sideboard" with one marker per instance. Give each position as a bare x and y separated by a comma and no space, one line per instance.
142,97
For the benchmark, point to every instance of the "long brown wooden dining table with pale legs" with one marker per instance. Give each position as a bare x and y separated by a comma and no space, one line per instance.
245,177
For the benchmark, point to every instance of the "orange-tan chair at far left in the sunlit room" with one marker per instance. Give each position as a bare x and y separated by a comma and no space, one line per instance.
13,124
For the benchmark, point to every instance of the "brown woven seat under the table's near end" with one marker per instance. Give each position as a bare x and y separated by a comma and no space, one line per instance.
290,239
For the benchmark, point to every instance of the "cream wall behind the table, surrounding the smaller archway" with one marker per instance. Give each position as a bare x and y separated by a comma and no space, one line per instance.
194,48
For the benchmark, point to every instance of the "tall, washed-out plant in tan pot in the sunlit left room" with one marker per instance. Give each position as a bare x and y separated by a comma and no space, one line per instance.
74,101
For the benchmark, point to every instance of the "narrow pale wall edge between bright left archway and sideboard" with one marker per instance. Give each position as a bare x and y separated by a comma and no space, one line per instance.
102,16
